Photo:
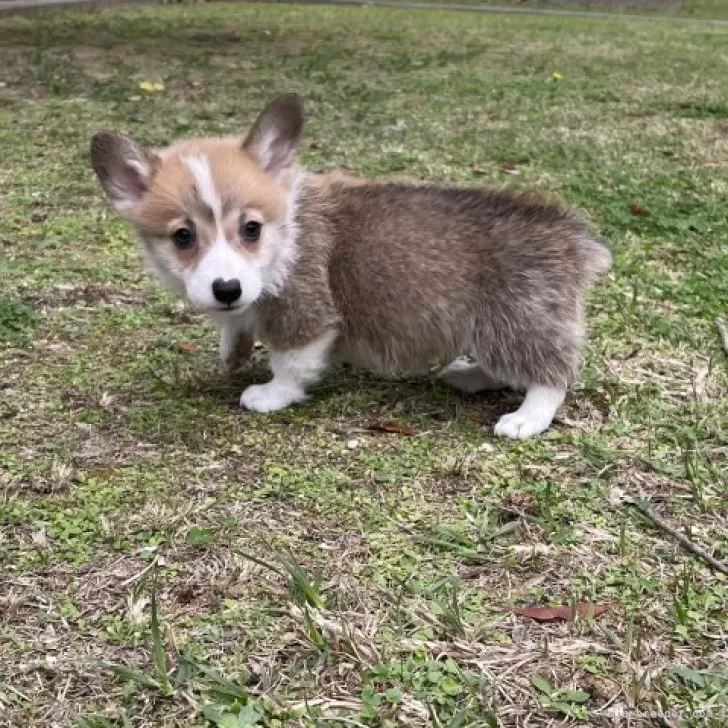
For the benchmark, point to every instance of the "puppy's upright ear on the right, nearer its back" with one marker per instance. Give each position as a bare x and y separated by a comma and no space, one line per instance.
274,138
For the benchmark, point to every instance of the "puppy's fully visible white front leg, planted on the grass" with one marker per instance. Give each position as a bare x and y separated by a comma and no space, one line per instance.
293,371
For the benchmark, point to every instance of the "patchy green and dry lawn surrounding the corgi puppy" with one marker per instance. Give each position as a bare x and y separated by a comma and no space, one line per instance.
171,561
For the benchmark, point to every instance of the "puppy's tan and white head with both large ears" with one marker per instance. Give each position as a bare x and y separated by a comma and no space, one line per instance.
215,215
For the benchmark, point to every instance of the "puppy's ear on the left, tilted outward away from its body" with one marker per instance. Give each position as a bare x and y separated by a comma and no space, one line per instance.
124,169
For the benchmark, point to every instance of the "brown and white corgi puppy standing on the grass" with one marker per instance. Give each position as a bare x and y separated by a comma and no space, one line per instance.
386,275
